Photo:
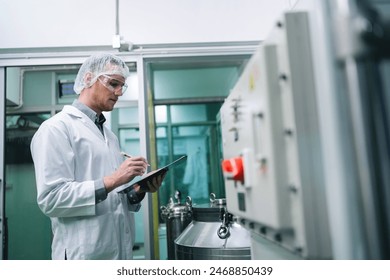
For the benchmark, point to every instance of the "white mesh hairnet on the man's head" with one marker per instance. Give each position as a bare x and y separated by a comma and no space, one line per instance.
97,65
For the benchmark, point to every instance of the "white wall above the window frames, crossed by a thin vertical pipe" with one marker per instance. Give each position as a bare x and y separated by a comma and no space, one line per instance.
64,23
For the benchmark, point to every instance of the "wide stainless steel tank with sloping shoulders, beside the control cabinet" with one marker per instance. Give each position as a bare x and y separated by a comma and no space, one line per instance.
213,235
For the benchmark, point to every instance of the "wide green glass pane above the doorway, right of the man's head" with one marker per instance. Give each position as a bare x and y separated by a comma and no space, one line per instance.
190,83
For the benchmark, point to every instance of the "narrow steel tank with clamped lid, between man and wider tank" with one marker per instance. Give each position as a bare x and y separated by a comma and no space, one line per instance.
177,216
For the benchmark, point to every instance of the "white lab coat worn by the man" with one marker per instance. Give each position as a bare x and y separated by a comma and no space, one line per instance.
69,153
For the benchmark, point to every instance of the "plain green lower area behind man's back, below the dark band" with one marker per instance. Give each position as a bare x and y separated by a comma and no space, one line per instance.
29,231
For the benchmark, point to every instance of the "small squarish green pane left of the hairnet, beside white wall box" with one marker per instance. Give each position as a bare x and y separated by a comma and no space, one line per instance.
37,88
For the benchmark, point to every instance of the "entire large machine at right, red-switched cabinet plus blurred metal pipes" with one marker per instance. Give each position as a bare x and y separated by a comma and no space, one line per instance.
301,172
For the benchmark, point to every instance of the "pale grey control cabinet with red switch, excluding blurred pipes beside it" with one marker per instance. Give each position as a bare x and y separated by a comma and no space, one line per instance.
265,122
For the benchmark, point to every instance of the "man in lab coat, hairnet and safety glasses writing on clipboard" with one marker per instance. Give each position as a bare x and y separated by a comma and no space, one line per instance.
78,165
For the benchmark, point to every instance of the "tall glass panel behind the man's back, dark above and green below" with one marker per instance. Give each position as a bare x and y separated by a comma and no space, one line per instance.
29,230
